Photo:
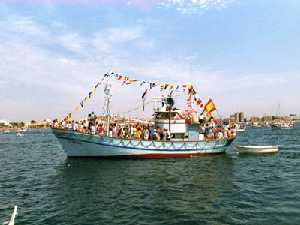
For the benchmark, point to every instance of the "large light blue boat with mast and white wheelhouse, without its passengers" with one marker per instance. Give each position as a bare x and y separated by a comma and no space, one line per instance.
183,137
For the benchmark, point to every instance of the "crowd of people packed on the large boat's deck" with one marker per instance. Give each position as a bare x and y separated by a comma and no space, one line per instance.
139,131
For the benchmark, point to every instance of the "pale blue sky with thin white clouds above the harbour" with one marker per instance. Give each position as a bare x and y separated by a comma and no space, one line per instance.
244,54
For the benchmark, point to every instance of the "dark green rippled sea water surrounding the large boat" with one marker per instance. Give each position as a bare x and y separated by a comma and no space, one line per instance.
227,189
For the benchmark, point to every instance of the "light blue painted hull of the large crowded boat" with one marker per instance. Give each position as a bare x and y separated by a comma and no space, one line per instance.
86,145
